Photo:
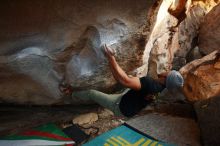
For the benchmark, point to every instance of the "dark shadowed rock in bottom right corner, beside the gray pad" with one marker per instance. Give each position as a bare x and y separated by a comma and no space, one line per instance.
208,114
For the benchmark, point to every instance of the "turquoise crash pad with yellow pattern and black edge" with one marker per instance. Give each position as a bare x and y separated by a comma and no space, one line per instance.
125,135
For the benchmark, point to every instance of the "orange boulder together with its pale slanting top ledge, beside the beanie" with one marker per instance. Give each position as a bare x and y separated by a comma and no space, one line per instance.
202,79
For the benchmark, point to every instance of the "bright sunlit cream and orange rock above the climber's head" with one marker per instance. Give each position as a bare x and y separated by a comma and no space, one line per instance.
169,44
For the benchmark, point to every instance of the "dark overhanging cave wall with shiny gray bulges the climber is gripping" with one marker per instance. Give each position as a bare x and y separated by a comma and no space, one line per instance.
44,42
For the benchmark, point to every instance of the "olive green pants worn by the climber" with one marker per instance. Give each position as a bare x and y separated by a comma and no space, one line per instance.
109,101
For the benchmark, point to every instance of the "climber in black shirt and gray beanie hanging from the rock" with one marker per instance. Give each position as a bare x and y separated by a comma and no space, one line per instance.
133,99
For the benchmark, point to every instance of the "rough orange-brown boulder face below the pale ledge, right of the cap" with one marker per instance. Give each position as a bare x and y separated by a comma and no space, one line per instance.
204,82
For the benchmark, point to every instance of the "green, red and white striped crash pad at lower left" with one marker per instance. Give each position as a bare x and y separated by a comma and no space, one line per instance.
48,134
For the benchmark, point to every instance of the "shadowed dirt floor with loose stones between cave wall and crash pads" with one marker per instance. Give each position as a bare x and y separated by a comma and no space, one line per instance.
96,121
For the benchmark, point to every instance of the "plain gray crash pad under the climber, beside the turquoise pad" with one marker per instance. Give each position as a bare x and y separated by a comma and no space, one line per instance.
175,130
